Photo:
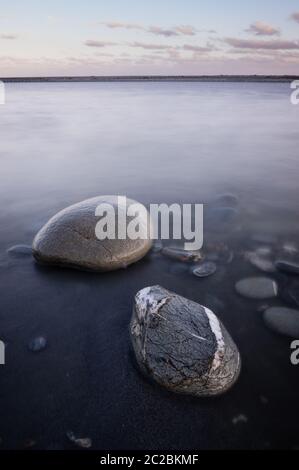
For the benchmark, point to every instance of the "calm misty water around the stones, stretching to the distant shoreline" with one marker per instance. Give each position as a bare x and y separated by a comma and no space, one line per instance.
155,142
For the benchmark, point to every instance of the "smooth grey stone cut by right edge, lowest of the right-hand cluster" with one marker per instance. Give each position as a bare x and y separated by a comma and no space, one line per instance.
283,320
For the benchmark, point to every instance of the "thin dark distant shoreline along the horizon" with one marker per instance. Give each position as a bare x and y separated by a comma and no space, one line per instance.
159,78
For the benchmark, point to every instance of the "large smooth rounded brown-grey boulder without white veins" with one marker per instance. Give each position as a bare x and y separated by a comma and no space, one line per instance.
69,238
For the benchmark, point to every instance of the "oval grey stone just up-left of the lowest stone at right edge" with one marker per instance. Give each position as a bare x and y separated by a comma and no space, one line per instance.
257,288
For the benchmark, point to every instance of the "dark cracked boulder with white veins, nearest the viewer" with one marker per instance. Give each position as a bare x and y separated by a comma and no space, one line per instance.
182,345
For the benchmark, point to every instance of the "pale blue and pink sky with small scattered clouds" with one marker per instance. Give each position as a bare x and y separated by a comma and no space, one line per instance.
157,37
